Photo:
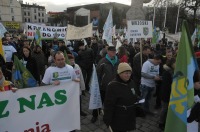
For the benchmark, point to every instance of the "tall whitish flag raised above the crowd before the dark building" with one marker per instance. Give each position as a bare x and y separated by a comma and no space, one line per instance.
108,31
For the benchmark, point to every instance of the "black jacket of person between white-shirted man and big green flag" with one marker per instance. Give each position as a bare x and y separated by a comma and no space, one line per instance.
167,78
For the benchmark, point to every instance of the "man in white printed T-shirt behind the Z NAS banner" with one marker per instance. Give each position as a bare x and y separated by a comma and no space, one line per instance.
62,72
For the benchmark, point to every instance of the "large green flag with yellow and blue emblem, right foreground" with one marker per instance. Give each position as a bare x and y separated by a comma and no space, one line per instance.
182,92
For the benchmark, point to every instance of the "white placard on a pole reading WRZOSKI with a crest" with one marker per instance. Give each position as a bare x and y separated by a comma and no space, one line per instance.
139,29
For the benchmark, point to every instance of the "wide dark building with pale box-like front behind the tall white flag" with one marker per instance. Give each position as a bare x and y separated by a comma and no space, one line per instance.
97,14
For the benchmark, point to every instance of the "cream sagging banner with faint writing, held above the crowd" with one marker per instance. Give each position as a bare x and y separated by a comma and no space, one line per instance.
79,32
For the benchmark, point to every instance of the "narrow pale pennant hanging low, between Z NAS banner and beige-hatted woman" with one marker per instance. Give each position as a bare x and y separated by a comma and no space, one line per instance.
95,97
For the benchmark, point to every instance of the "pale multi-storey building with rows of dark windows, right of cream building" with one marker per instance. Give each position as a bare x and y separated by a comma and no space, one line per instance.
33,13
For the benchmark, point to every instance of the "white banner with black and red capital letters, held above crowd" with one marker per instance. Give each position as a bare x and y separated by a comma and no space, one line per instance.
47,32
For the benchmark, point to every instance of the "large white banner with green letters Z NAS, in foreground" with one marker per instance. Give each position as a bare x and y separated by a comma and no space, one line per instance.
41,109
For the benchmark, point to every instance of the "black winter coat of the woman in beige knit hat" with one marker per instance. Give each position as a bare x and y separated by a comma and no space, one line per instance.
119,105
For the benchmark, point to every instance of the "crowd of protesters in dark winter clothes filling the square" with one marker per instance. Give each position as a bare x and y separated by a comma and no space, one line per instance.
125,75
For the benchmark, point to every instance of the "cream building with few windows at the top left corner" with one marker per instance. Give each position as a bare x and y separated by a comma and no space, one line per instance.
10,11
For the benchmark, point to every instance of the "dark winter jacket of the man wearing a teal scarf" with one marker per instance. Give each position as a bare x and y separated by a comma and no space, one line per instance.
106,72
